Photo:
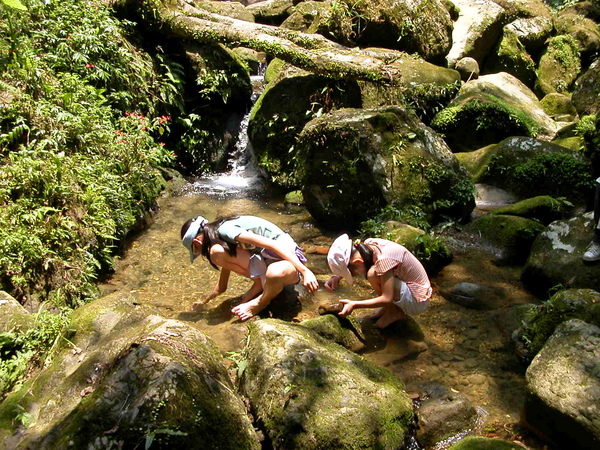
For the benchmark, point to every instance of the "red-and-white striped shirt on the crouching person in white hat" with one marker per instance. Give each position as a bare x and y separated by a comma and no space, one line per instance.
388,255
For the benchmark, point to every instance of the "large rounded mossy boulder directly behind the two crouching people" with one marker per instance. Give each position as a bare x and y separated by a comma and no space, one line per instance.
353,162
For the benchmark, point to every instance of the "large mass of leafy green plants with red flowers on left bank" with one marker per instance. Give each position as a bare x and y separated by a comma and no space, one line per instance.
76,173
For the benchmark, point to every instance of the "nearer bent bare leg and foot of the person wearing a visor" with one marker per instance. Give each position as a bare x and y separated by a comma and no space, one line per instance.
279,274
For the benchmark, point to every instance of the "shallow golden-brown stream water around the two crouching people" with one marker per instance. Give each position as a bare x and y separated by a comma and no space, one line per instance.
463,349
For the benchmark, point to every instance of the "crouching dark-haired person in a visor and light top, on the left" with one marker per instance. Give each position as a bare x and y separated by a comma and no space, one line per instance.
252,247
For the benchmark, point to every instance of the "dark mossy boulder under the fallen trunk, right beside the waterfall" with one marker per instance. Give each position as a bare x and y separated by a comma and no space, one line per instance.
293,97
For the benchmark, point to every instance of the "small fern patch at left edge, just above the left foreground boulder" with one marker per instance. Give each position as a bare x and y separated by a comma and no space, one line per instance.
22,350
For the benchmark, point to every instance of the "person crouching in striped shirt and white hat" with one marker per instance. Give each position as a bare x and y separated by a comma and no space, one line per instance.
399,279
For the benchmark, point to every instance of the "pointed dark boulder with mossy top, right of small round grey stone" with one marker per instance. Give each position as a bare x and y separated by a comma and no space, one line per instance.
510,56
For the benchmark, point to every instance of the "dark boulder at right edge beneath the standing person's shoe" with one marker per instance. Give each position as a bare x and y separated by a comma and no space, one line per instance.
556,257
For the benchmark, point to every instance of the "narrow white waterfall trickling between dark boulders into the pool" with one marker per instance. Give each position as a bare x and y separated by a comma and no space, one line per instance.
244,175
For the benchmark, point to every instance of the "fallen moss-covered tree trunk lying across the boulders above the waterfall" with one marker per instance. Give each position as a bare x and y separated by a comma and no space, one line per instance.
311,52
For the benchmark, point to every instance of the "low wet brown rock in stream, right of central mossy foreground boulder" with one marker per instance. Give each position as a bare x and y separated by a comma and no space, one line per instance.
443,414
